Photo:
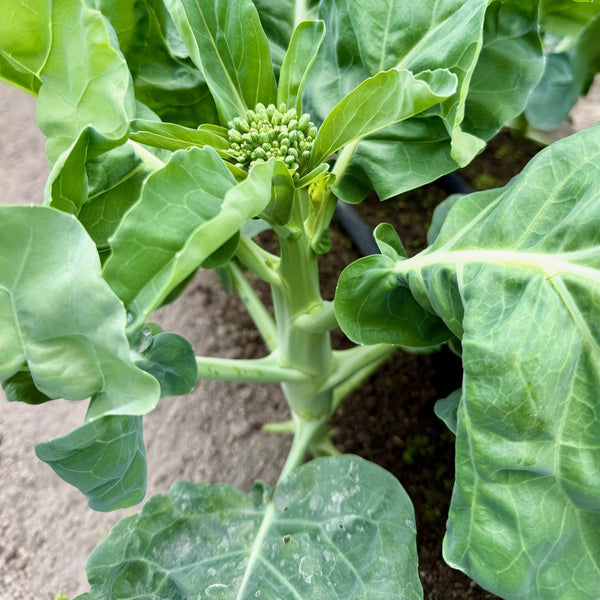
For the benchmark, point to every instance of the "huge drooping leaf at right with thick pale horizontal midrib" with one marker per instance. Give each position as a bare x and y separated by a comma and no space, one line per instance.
517,278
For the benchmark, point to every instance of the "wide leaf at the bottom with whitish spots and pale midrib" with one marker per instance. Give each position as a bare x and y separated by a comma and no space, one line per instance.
337,528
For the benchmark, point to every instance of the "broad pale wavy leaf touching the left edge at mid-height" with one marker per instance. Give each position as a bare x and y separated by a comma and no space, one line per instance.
60,318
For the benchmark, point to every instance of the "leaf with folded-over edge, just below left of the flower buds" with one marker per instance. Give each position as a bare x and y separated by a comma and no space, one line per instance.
162,240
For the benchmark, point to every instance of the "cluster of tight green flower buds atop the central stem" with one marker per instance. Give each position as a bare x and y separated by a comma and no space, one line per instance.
272,132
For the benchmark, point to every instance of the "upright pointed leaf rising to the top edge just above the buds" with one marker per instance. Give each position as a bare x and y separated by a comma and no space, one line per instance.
226,42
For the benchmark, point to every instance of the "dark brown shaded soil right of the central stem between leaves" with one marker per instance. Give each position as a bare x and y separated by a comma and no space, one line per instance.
390,419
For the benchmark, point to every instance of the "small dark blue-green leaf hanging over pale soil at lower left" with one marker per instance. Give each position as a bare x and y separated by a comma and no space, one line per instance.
104,459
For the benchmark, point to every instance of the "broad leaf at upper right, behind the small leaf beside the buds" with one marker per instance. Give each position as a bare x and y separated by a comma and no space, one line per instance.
465,37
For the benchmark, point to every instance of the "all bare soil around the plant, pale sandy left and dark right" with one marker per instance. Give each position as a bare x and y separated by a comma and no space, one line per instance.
215,433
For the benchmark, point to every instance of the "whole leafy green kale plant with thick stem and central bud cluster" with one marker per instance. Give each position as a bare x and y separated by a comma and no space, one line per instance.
179,129
